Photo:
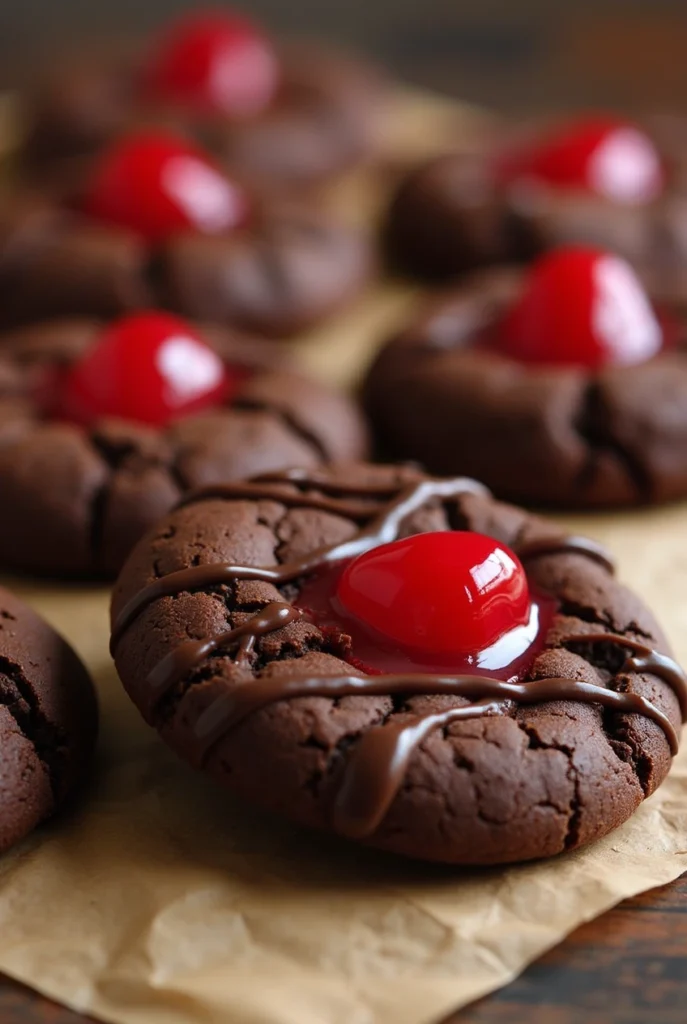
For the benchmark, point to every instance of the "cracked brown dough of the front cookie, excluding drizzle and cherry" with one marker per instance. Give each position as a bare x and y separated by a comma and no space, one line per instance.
534,781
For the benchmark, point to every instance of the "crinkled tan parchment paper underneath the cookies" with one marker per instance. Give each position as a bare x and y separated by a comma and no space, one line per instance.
159,899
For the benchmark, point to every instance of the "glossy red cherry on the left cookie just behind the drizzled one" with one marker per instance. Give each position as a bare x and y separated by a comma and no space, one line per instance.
150,368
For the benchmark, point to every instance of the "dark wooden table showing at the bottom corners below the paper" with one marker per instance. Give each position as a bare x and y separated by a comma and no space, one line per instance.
629,967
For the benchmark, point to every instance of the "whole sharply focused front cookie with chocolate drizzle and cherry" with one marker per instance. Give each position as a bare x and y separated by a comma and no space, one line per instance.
217,642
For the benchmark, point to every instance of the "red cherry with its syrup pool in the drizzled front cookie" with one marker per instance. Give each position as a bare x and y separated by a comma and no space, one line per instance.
444,603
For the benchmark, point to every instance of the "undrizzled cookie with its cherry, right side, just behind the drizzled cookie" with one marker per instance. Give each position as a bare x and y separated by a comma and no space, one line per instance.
562,385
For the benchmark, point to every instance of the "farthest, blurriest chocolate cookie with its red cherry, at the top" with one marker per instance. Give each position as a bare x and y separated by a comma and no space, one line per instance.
282,116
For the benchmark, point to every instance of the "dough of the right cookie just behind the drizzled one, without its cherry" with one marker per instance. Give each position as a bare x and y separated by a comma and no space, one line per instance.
562,436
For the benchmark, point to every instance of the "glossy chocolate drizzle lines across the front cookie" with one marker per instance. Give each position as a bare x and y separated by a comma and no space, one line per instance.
377,765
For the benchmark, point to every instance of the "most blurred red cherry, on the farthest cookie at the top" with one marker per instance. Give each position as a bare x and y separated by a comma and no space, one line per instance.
221,63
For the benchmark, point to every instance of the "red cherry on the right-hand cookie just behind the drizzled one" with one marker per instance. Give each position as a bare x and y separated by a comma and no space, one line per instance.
582,308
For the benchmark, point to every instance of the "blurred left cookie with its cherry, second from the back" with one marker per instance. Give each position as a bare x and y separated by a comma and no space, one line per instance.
157,224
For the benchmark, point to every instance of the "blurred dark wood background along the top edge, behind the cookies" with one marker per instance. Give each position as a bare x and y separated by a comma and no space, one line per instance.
513,54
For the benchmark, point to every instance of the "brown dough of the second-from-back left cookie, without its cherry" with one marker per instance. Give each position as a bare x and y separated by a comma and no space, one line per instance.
288,270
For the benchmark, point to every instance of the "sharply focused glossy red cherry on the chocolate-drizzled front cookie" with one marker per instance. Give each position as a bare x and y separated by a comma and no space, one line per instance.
446,594
